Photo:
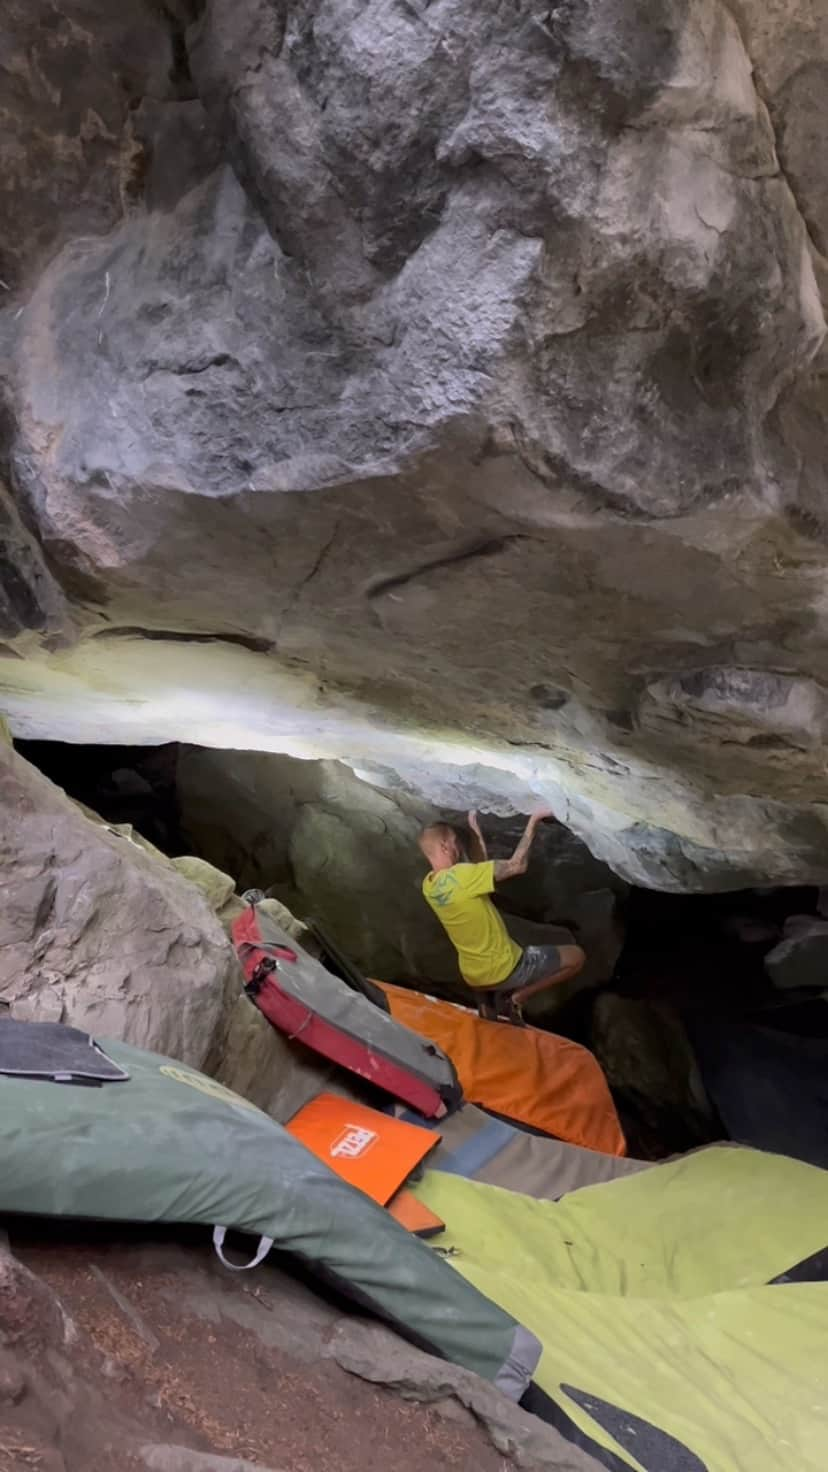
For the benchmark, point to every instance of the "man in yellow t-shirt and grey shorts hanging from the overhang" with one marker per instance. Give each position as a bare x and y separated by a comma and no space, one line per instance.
459,891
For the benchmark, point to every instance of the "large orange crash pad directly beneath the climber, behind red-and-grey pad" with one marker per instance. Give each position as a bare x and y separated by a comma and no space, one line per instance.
530,1077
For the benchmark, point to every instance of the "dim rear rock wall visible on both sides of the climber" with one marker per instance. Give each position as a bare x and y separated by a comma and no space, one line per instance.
344,853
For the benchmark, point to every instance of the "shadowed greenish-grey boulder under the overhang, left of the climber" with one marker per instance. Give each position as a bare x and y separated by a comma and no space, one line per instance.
334,849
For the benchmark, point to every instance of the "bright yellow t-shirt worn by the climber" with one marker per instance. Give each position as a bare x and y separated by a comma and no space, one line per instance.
460,900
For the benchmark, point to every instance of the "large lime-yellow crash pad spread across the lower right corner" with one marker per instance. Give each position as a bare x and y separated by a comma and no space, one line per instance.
667,1345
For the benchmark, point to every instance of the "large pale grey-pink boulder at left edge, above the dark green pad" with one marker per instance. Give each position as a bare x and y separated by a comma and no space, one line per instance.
98,933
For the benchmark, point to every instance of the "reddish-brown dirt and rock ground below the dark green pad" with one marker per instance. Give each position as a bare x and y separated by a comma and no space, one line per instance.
117,1346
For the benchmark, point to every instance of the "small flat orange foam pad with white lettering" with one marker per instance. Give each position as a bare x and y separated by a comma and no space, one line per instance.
371,1150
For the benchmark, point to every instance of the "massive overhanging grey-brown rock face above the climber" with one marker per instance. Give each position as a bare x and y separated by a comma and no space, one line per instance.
435,388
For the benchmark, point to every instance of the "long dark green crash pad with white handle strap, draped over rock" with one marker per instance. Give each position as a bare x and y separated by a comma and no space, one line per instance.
173,1146
